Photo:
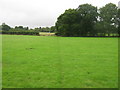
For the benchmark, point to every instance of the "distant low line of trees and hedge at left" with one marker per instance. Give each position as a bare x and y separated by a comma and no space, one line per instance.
20,30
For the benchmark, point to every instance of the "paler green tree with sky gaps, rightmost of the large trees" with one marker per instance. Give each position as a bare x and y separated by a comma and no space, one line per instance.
108,18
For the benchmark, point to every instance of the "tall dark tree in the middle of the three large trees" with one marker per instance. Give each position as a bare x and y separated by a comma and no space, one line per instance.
89,16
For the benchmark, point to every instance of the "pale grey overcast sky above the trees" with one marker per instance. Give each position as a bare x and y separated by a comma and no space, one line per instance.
36,13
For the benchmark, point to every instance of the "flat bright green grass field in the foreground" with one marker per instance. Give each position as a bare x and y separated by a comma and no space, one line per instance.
59,62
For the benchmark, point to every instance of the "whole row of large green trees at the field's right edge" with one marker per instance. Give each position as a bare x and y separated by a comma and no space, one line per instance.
88,20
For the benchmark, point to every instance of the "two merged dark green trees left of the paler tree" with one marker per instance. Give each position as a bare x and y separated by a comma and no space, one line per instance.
77,22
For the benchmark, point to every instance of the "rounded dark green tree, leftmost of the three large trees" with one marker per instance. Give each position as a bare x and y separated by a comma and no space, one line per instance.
65,23
